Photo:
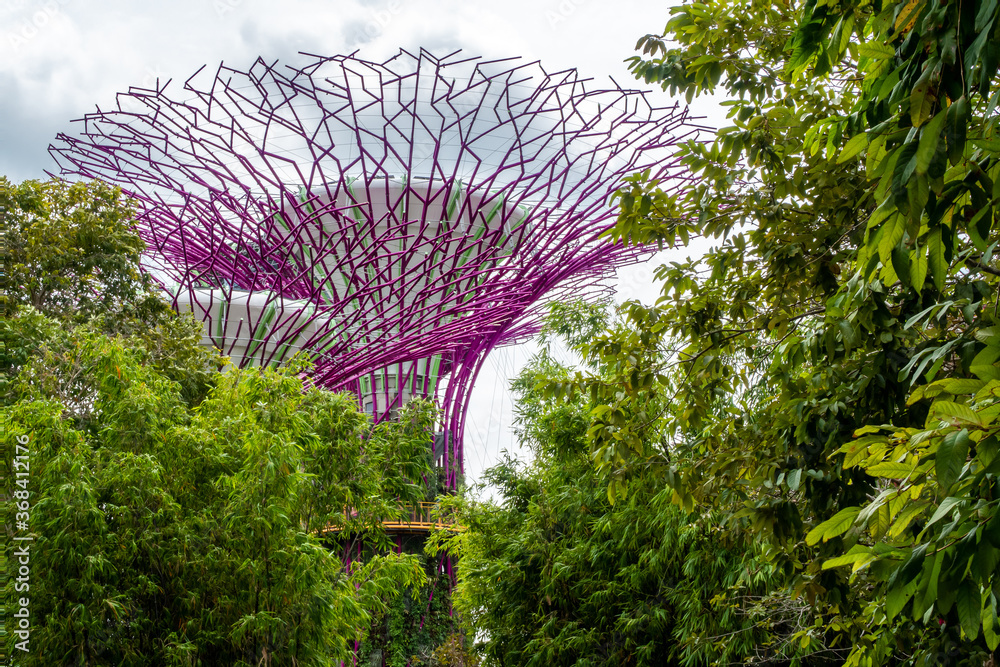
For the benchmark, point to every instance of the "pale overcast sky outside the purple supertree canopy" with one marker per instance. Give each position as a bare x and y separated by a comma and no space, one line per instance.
61,58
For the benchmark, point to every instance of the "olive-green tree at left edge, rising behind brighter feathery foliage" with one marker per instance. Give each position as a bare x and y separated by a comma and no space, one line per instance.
70,253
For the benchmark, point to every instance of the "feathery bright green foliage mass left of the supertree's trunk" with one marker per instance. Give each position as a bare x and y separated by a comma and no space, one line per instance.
177,511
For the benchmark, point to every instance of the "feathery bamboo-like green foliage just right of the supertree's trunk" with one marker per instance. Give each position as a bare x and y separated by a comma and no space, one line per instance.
553,573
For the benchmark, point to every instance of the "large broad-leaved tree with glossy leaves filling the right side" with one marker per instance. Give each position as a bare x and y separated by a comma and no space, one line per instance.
835,382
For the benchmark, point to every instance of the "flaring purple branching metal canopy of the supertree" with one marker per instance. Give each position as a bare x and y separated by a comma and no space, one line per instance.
396,221
